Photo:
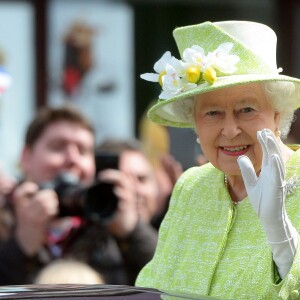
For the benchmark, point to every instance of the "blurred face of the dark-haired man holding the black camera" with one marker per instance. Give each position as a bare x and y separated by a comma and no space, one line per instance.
63,147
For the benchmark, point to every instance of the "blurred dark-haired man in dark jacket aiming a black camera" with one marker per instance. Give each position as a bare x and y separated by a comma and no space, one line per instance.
62,140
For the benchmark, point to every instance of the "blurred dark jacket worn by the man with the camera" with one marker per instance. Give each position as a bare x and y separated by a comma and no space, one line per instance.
118,260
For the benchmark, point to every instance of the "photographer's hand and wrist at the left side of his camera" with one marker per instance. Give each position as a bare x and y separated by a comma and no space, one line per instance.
34,209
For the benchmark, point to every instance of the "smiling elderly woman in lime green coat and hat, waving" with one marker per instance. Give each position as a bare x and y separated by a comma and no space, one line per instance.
232,227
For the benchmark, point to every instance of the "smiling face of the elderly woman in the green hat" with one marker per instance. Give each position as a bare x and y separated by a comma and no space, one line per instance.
227,121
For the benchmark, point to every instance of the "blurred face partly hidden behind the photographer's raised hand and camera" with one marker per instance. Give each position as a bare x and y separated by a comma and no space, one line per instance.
136,166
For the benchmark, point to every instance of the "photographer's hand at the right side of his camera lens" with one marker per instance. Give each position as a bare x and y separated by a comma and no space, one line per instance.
125,219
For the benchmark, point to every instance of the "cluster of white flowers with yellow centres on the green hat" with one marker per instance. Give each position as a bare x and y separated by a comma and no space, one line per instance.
177,76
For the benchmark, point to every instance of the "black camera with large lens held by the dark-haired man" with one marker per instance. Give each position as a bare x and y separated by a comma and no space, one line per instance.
96,202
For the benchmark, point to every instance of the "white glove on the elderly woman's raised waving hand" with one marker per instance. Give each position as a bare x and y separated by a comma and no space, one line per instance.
267,195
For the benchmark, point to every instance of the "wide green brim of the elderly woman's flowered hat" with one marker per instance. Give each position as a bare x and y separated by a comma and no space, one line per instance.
164,112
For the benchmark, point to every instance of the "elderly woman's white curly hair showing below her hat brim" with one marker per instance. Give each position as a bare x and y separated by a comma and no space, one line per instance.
281,94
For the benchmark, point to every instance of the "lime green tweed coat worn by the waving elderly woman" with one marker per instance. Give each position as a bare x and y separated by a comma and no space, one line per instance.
209,246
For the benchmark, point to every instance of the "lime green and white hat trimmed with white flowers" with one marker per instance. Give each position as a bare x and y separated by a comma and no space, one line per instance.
213,56
